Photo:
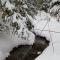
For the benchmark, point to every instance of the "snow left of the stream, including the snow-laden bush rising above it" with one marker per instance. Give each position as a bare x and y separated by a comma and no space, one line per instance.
10,40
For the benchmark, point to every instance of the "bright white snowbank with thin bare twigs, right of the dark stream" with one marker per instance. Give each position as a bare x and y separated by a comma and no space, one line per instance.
48,26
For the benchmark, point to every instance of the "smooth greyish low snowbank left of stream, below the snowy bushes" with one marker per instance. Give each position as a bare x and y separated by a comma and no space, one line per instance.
8,42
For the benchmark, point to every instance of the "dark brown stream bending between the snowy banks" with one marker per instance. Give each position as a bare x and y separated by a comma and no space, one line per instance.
29,52
